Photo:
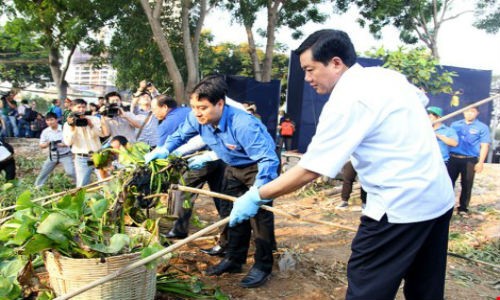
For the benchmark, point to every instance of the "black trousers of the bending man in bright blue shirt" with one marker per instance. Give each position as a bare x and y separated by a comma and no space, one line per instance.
236,182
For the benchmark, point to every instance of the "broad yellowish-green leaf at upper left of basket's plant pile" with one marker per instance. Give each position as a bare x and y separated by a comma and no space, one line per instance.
56,227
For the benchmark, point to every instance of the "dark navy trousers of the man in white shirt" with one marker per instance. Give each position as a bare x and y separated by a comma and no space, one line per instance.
383,254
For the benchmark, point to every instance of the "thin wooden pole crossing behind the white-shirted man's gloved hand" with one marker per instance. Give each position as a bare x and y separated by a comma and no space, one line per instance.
268,208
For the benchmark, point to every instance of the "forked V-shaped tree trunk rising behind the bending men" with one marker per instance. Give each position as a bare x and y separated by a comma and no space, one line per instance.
161,16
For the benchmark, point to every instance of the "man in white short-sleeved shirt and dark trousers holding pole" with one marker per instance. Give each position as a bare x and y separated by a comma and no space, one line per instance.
377,118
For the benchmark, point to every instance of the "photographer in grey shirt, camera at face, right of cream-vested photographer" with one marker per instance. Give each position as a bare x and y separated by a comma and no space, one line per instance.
114,117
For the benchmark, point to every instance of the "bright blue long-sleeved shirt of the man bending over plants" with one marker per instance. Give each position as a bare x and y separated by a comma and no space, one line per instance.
239,140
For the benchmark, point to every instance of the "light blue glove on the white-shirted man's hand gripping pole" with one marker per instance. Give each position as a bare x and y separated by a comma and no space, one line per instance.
246,206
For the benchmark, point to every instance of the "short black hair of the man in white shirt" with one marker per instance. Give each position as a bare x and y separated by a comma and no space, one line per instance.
328,43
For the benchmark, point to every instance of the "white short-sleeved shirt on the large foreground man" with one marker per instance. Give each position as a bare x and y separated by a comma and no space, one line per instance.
378,119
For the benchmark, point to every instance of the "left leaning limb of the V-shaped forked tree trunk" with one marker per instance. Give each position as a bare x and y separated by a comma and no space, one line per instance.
166,52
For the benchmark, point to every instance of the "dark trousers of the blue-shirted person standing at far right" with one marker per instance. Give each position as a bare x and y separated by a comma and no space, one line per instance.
465,168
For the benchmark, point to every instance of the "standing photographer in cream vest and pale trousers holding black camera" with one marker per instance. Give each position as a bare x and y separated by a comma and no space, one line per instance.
82,134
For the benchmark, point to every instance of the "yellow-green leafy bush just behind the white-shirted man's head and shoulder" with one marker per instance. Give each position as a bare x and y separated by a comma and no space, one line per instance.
418,66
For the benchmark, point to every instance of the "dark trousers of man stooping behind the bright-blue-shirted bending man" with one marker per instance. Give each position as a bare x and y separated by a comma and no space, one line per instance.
213,174
